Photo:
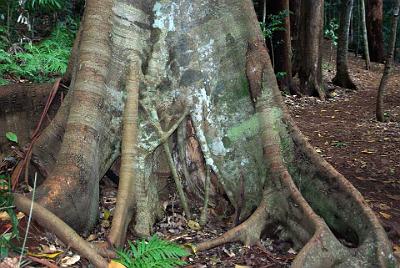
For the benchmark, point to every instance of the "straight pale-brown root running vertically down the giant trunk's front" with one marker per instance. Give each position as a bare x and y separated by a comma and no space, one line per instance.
126,190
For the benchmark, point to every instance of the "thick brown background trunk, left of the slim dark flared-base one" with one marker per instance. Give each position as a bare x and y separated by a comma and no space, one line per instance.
310,49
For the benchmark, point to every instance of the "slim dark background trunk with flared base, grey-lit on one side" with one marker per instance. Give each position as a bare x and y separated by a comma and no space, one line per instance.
342,78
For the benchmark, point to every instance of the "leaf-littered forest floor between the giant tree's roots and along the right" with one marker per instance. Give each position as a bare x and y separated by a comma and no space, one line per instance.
342,129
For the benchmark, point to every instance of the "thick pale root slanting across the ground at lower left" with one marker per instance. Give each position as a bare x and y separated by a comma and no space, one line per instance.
65,233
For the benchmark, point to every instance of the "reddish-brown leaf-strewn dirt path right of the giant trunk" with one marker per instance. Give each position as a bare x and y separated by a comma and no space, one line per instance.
344,130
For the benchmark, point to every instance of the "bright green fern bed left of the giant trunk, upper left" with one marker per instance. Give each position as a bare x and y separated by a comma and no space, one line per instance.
39,62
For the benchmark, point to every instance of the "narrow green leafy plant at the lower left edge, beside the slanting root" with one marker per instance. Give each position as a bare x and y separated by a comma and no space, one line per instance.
6,205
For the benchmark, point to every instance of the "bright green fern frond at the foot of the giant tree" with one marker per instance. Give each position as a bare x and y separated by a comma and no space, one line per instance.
152,253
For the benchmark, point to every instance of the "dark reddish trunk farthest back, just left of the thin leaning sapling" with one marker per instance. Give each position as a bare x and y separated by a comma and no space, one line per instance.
374,10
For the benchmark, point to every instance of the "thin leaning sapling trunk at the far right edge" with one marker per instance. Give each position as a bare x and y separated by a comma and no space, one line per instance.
380,116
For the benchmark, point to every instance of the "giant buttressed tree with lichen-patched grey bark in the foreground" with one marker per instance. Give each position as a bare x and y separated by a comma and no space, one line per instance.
198,84
